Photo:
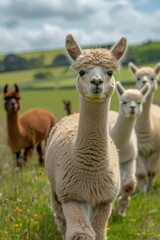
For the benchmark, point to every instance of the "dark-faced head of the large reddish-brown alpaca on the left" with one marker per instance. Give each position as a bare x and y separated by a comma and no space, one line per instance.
11,98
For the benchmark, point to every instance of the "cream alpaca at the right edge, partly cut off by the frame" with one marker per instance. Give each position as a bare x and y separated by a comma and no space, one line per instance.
147,129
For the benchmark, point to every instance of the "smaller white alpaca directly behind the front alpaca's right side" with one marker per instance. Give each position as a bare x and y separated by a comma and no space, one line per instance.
124,136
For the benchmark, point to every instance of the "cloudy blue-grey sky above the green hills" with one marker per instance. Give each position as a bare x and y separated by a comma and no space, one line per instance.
31,25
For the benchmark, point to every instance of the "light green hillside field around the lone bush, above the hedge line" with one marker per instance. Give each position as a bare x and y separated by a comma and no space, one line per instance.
62,76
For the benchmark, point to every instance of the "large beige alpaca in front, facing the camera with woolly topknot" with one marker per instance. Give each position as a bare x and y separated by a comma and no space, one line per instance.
81,159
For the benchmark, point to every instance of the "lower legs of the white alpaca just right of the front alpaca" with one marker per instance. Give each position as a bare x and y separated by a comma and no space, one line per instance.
128,184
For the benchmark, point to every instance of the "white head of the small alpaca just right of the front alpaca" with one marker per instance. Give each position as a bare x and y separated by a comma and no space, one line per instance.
131,100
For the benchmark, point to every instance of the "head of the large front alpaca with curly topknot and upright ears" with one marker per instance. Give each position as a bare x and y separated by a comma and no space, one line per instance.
95,68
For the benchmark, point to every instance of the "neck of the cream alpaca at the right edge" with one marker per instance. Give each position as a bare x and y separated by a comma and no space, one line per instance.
143,123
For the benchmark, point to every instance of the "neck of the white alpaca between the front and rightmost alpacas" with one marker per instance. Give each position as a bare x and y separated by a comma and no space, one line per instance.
121,131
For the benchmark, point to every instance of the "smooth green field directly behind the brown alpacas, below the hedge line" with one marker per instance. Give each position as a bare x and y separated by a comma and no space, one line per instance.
52,100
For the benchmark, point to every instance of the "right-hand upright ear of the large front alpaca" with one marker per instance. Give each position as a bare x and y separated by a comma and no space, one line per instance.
119,49
